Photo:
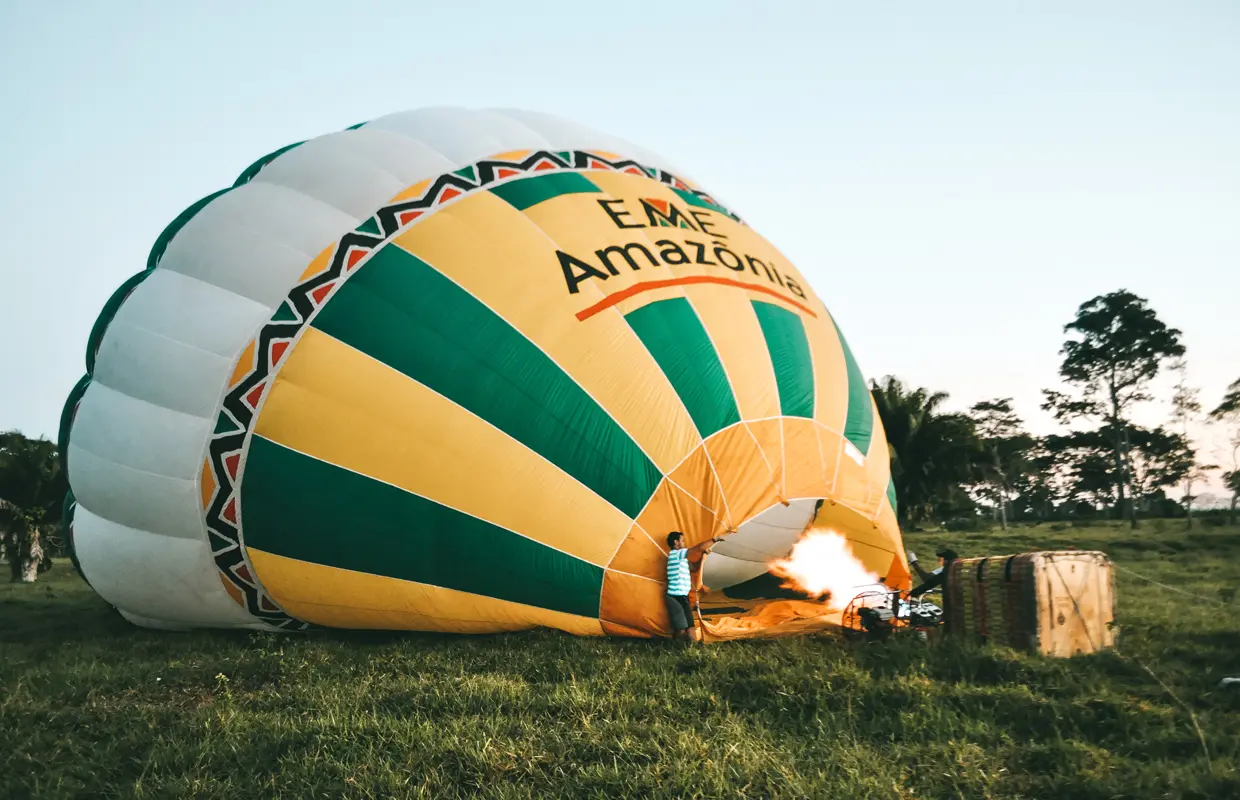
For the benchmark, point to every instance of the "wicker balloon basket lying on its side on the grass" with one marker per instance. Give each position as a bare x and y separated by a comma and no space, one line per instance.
1058,603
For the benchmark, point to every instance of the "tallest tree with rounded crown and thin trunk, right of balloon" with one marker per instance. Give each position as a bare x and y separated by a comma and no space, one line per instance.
1119,348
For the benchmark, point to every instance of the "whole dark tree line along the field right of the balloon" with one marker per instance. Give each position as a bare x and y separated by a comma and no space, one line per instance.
1103,464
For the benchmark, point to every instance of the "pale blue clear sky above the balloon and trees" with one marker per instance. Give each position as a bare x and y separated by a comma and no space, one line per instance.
954,179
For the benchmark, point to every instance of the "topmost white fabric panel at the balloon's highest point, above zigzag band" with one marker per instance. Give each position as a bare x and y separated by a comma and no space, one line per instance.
462,136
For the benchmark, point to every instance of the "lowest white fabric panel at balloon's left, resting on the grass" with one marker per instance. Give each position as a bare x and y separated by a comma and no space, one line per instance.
168,580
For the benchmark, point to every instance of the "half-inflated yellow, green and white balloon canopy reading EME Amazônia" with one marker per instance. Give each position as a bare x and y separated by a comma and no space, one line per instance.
464,371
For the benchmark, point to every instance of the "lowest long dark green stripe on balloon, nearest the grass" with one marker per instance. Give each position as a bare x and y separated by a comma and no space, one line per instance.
368,527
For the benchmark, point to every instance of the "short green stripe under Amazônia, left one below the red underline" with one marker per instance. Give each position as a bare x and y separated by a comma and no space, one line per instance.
675,337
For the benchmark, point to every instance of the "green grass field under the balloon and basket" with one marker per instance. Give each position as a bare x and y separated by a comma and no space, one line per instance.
91,706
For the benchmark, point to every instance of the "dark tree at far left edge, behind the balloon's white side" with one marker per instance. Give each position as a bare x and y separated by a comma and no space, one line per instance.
32,496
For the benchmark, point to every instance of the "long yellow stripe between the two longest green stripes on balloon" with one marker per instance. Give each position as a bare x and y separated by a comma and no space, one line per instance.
340,406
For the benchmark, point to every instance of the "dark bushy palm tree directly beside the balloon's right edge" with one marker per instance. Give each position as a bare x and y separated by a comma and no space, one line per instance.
933,453
